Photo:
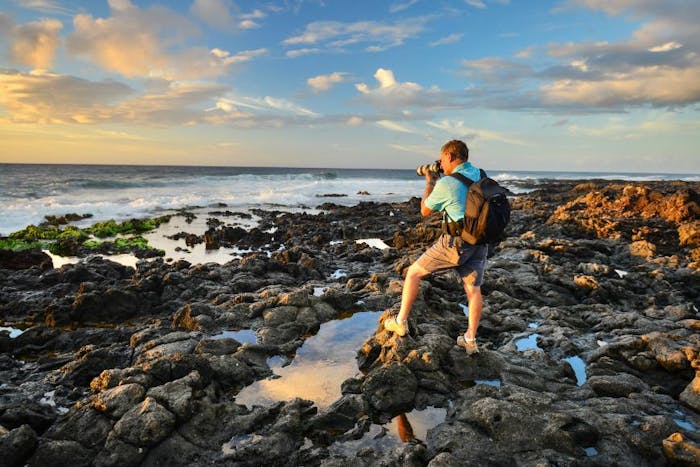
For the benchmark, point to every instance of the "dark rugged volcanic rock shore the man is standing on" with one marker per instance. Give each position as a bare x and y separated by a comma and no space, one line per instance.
590,342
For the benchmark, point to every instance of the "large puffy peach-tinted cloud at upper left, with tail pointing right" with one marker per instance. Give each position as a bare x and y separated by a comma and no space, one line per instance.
148,43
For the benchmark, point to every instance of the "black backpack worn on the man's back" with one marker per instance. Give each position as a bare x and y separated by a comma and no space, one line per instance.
486,212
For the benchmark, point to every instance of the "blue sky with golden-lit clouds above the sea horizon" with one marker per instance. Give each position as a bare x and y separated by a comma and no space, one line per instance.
566,85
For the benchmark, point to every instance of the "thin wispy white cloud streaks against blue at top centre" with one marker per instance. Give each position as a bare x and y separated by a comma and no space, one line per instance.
374,35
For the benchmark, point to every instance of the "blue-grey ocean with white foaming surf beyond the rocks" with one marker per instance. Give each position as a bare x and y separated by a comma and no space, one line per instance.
28,192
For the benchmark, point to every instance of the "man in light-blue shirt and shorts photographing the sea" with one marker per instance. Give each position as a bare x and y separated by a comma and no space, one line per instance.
447,194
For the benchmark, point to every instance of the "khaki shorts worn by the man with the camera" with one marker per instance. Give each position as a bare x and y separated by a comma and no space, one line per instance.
448,252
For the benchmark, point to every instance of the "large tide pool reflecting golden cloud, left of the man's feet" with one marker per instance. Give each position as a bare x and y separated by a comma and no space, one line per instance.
320,366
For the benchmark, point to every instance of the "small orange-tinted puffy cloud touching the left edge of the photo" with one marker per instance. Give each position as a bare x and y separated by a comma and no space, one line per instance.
33,44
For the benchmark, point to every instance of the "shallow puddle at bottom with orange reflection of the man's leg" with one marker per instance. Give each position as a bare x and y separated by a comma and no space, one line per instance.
410,427
